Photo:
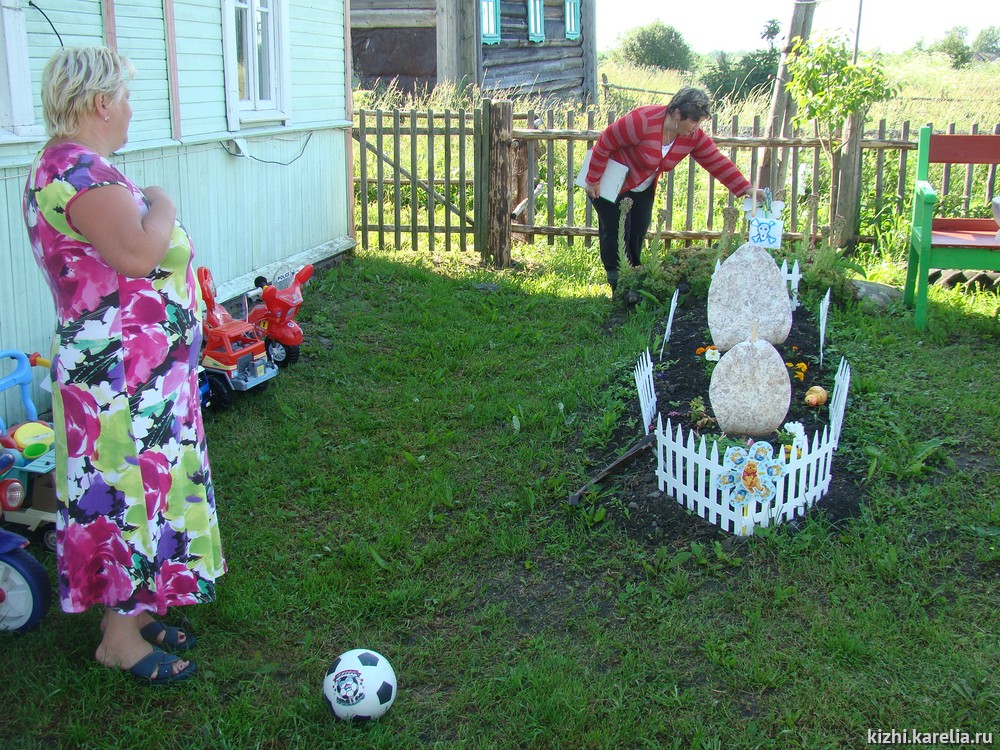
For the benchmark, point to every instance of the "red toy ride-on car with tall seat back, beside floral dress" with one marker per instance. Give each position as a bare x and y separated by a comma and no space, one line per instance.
234,358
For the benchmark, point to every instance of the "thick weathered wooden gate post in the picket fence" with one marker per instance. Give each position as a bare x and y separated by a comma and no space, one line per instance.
498,183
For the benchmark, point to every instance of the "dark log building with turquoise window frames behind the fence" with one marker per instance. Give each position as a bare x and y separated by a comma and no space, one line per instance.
531,47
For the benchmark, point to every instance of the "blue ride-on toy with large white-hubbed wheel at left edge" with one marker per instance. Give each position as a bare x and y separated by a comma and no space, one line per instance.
25,591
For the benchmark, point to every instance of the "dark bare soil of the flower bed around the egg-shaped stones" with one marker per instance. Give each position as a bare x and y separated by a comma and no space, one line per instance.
638,506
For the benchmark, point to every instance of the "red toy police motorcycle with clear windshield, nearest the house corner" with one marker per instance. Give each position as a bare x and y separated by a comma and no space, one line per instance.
274,316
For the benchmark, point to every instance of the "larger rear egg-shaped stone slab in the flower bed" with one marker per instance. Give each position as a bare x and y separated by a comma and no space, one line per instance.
748,288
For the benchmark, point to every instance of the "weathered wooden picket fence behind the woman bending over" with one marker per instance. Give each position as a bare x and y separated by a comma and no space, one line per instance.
458,179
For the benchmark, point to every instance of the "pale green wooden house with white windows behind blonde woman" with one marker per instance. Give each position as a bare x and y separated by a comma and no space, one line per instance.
257,157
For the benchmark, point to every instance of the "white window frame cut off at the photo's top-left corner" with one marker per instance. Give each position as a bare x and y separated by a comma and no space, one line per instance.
17,113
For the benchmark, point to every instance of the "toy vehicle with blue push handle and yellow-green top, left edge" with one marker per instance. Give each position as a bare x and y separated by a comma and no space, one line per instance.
27,489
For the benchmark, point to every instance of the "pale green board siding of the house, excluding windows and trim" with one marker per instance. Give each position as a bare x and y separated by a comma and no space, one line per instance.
285,201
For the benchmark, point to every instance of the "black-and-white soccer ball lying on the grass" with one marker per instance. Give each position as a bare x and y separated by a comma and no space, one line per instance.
360,685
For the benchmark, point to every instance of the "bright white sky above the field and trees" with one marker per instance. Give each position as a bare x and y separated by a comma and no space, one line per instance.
736,25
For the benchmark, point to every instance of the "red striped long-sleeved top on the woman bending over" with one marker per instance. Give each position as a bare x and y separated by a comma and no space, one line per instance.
636,140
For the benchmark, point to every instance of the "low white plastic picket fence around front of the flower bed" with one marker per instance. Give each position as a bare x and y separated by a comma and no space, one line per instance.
690,472
